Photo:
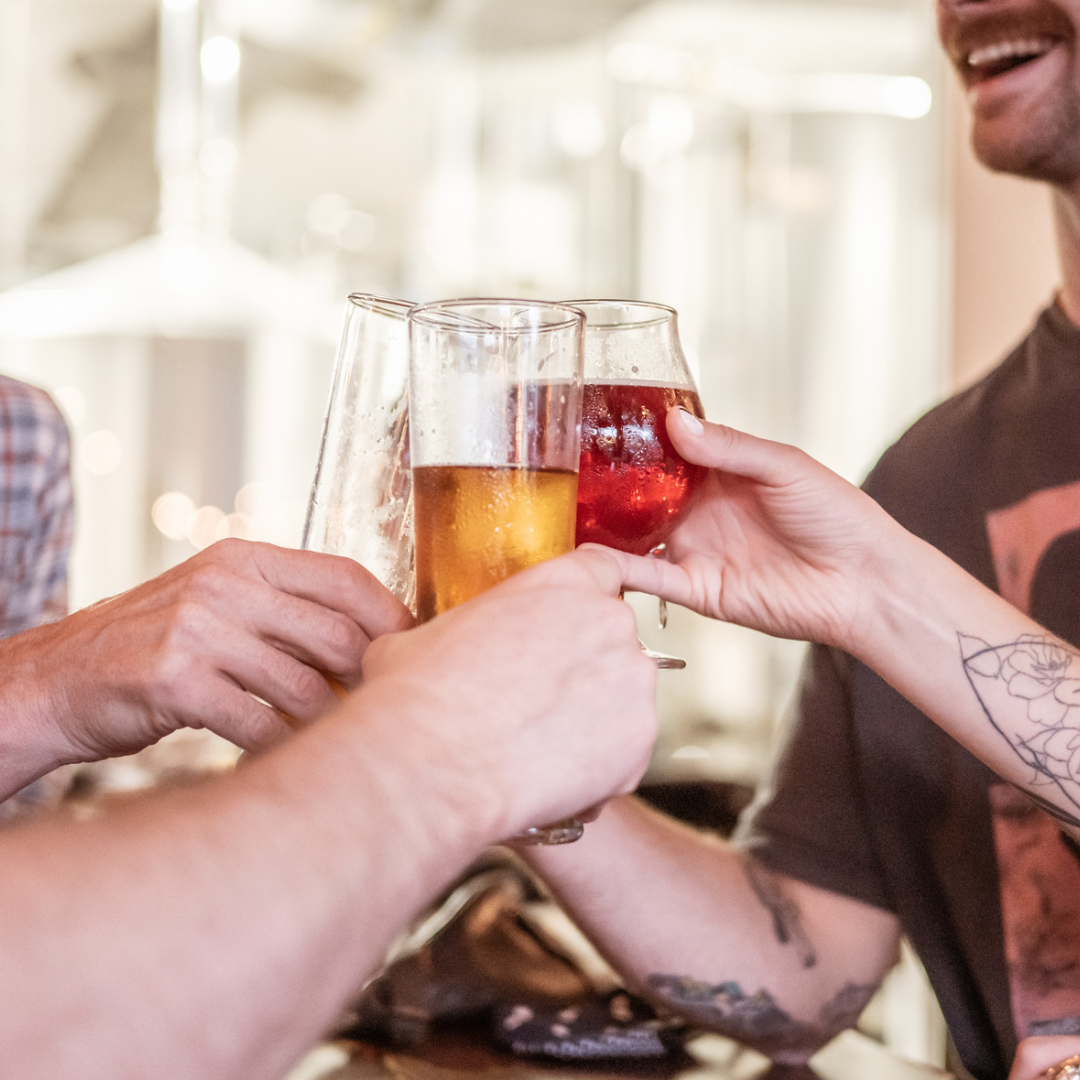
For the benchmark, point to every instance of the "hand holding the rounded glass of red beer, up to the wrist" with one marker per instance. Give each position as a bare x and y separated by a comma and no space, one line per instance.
776,542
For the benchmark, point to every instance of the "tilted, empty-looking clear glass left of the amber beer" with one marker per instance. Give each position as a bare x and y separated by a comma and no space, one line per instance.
361,501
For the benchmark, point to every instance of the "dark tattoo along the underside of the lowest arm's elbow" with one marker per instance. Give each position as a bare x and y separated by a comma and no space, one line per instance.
757,1019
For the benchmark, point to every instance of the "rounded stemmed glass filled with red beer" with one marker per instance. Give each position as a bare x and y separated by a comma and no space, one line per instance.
633,488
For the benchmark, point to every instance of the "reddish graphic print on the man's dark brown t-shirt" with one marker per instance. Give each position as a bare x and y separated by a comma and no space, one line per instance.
1036,550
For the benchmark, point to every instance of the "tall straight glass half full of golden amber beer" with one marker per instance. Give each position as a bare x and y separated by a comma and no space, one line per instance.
495,441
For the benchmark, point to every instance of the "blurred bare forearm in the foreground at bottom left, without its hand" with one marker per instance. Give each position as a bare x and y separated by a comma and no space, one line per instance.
217,931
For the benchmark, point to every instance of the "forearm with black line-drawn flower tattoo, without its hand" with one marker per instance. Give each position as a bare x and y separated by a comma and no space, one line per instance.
983,671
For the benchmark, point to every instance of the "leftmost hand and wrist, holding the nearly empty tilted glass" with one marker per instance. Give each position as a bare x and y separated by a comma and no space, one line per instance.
190,650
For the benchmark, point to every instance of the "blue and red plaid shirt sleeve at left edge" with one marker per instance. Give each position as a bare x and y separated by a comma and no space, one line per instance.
36,508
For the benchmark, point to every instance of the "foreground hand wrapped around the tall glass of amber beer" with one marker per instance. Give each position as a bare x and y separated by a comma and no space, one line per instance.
531,703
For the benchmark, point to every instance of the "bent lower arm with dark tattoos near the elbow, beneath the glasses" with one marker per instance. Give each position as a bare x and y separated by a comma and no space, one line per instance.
713,936
